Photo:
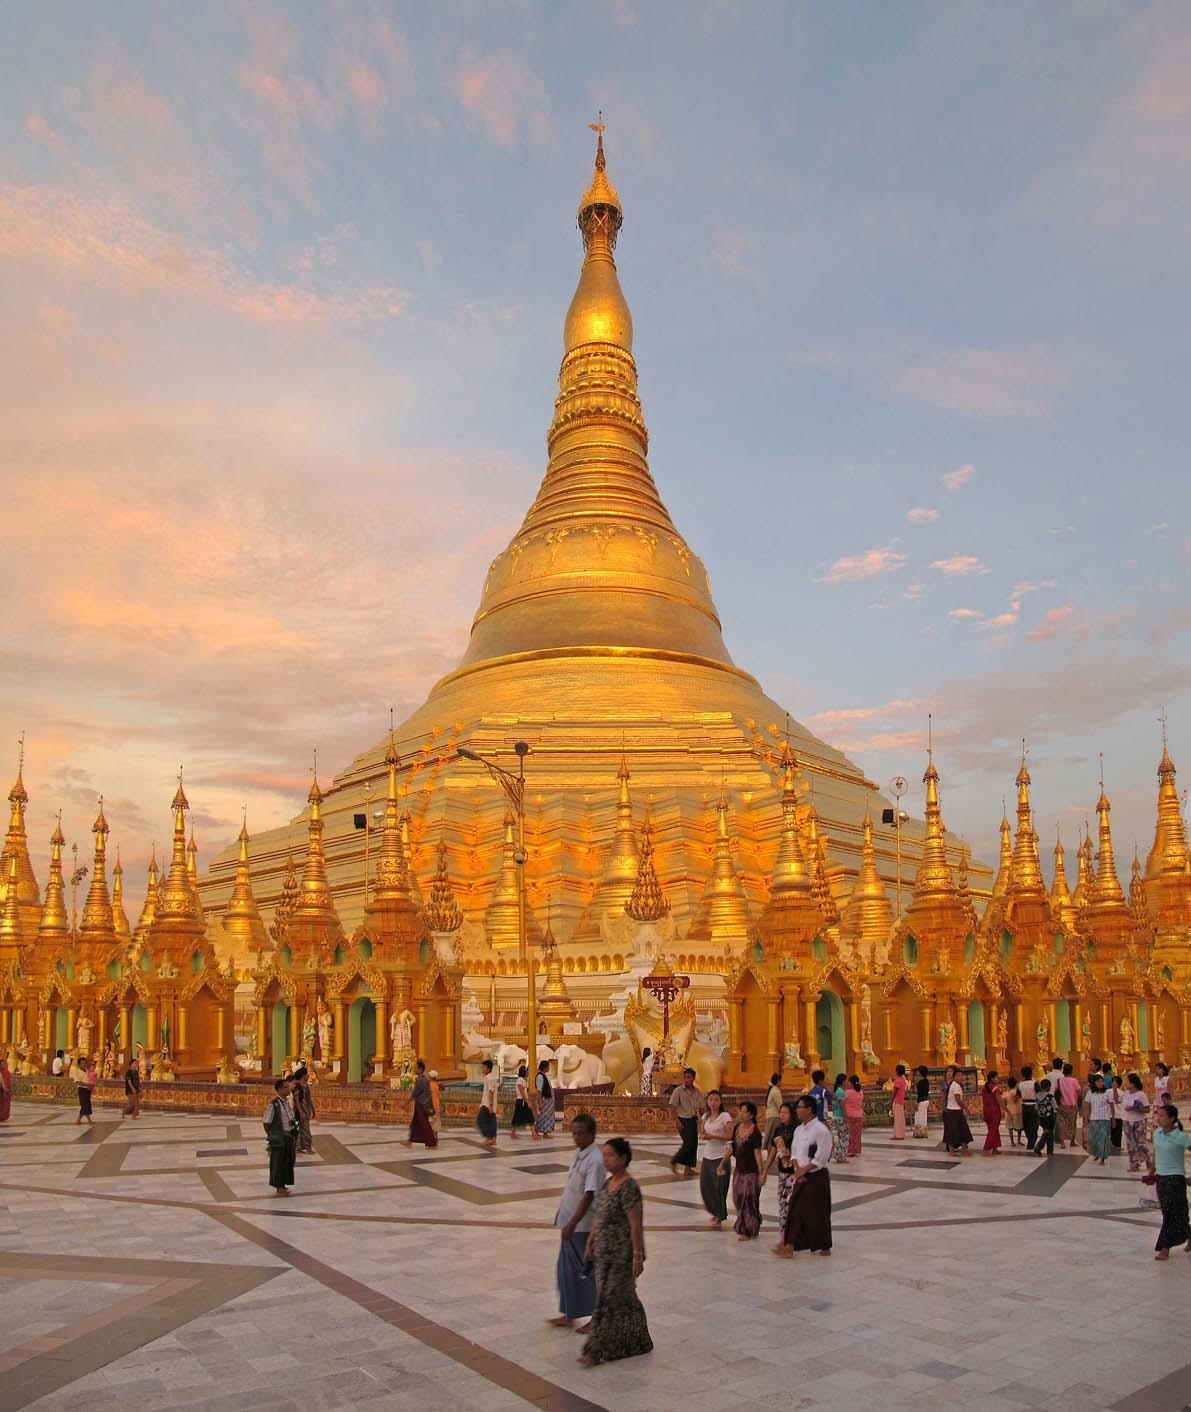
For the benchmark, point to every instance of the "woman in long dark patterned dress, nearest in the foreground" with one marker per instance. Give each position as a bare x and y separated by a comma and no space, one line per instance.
617,1250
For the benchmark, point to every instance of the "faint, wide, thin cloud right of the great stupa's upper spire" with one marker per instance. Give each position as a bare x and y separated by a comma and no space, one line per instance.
983,383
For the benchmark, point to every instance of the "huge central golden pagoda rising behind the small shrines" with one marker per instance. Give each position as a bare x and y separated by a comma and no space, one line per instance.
597,642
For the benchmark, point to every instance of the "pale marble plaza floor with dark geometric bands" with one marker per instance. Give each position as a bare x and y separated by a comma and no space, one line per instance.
145,1264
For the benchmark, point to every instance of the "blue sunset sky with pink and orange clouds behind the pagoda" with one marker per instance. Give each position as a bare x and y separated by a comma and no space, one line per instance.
283,294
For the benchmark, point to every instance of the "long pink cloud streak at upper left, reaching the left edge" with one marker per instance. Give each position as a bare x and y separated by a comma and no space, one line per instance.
107,241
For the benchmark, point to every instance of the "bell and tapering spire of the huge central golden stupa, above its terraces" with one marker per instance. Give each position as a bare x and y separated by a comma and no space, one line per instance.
598,536
